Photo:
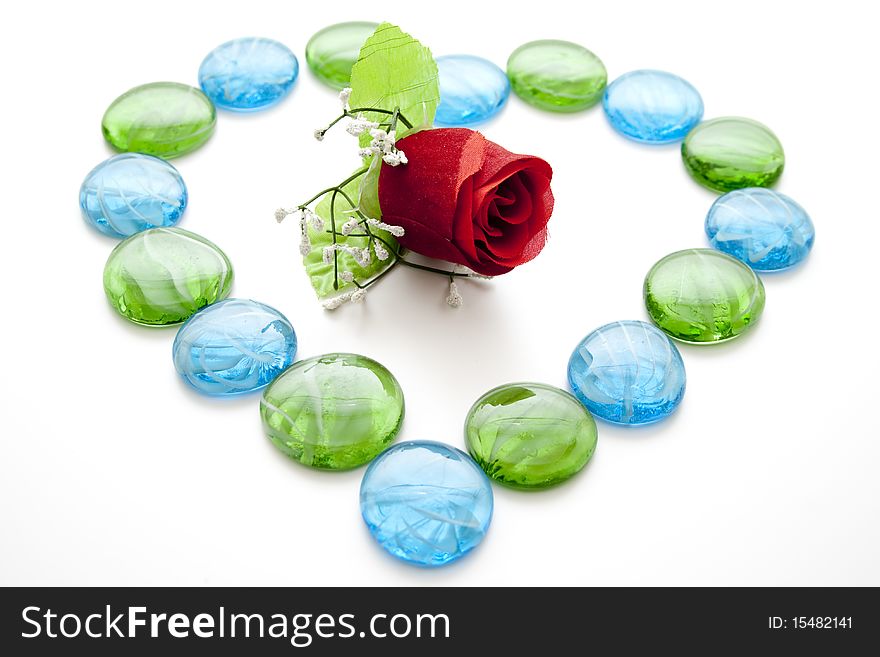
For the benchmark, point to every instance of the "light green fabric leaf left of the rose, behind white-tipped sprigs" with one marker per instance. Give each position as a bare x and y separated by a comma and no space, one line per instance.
320,273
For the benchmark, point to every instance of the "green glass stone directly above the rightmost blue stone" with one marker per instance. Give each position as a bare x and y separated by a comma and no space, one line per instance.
733,153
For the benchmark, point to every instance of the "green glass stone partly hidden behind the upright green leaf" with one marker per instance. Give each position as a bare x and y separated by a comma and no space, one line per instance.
332,52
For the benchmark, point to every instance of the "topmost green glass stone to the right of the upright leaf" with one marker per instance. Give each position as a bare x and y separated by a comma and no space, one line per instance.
559,76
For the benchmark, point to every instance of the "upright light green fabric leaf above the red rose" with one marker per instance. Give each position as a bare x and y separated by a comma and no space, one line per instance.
394,71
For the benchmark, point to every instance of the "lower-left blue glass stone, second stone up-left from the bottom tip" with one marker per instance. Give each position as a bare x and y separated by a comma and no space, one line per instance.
233,347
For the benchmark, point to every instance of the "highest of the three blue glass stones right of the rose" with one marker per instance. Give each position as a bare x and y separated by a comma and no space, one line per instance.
652,107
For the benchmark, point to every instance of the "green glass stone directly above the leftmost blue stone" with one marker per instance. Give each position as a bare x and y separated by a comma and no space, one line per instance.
165,119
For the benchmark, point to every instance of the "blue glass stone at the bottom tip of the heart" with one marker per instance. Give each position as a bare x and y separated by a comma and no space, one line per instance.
426,503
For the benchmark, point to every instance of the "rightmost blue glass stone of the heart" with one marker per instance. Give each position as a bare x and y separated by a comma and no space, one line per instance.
765,229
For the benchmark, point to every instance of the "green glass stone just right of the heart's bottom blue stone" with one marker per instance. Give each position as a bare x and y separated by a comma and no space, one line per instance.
530,435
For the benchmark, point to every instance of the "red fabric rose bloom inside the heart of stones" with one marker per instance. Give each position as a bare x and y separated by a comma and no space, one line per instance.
464,199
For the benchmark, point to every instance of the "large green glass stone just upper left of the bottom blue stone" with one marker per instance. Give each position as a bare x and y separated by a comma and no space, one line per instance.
333,412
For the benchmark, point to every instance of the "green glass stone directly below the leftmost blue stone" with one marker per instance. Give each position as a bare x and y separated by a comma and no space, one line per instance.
163,276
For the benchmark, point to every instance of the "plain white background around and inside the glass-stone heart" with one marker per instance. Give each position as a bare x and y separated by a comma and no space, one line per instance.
112,472
